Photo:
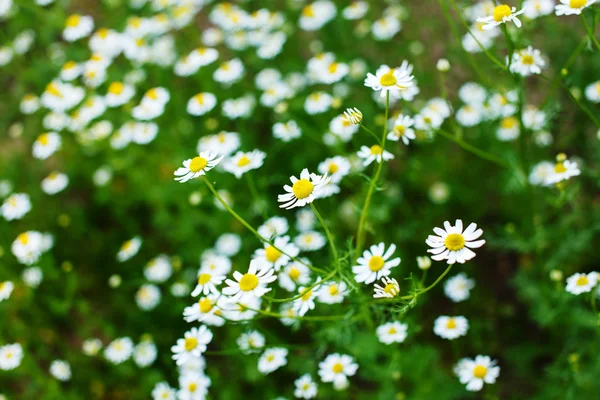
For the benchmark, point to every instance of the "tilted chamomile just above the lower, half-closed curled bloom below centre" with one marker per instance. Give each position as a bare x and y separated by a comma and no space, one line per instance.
375,263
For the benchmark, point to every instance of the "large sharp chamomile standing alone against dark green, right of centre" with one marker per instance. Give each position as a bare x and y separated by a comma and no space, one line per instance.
454,244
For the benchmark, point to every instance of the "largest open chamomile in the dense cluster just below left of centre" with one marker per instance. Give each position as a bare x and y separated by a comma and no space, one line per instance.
252,284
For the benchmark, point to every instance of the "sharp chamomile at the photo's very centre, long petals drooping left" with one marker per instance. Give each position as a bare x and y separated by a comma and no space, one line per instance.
303,191
